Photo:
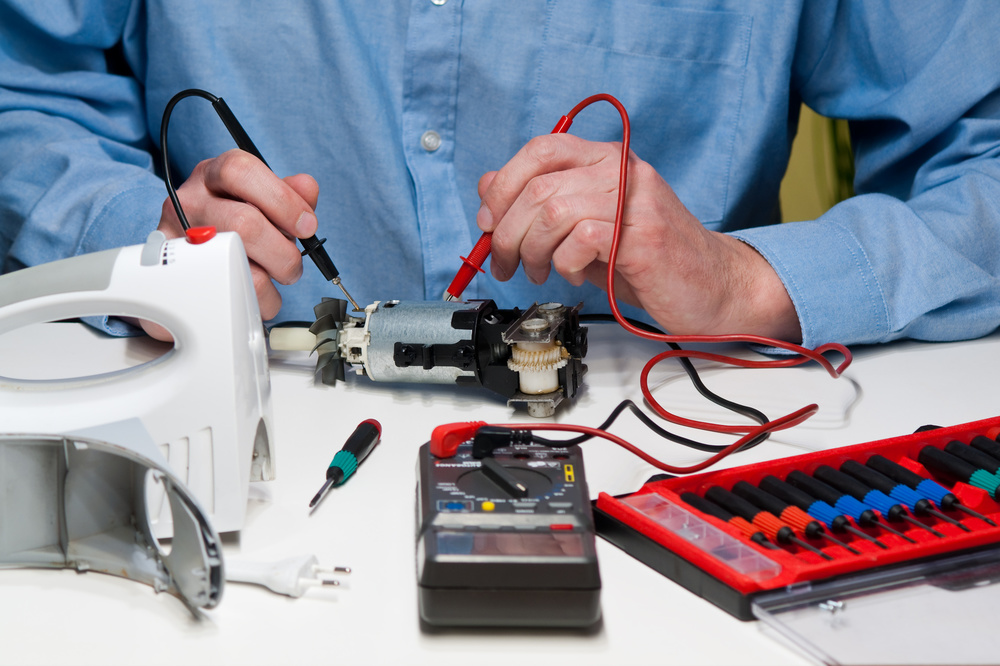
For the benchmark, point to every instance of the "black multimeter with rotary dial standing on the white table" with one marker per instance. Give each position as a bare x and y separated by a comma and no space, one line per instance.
506,540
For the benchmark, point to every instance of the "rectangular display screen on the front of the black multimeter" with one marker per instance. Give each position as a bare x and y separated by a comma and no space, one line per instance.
555,544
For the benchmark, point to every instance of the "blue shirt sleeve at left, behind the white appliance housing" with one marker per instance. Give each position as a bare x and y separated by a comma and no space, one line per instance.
75,163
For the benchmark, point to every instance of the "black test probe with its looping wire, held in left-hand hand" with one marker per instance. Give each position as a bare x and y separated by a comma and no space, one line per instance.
312,246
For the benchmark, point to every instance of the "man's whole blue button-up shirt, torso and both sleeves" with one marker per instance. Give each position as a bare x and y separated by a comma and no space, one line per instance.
397,108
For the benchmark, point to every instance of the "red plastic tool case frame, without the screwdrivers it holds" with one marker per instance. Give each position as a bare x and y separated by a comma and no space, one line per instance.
716,561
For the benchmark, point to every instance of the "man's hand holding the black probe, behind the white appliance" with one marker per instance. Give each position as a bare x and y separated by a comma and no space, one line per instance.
237,192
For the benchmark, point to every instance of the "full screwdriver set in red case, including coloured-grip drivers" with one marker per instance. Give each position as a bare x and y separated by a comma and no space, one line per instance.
735,536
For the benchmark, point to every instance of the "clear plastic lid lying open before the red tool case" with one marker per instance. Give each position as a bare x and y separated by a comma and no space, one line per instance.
938,612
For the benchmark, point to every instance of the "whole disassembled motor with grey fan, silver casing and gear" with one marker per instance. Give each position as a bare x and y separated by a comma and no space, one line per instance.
473,343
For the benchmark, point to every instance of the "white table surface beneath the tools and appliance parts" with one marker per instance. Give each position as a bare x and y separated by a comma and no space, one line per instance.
50,617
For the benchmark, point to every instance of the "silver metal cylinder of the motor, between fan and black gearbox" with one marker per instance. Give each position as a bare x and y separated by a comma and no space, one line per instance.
429,322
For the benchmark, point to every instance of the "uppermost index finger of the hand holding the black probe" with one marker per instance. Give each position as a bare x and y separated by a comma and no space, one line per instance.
239,175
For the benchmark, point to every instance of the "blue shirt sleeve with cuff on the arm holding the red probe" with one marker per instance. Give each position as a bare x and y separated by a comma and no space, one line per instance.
914,254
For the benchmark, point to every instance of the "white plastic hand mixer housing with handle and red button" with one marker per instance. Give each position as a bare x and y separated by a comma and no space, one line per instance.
206,403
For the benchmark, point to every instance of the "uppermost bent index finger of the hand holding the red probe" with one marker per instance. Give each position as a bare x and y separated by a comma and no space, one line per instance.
542,155
